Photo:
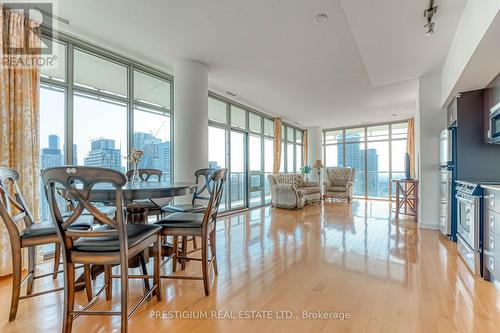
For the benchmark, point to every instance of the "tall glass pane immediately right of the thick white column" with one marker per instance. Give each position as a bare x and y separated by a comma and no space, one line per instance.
217,138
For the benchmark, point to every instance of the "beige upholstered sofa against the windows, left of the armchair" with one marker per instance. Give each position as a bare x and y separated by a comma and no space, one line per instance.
292,191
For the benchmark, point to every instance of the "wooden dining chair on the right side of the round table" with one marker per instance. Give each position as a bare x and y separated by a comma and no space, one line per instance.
197,225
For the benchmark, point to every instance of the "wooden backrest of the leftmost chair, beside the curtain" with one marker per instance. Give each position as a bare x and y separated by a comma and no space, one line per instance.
13,207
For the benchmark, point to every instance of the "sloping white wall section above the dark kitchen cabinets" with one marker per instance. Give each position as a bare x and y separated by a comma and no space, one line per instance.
477,17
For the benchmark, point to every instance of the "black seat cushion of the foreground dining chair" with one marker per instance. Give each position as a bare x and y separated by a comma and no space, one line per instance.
136,233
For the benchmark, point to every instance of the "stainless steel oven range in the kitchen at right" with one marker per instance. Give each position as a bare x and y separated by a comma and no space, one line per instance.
469,199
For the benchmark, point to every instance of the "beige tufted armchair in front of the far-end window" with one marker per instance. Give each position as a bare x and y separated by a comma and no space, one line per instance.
339,183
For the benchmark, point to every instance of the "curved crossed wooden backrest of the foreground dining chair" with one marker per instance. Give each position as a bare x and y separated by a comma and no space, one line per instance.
78,183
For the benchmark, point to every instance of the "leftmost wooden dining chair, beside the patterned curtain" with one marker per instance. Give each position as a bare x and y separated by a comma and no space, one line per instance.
13,209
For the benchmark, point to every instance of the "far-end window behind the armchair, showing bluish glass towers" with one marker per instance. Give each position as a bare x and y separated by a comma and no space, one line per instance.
376,152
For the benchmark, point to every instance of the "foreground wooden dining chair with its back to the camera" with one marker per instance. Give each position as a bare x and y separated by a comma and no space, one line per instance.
113,243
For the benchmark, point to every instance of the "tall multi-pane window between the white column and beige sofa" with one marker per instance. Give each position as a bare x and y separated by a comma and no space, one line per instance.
247,137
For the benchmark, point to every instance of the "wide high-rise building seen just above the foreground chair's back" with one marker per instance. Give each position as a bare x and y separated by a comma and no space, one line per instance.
104,154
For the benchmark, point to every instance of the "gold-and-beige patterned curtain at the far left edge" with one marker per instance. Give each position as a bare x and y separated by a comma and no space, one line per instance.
19,117
